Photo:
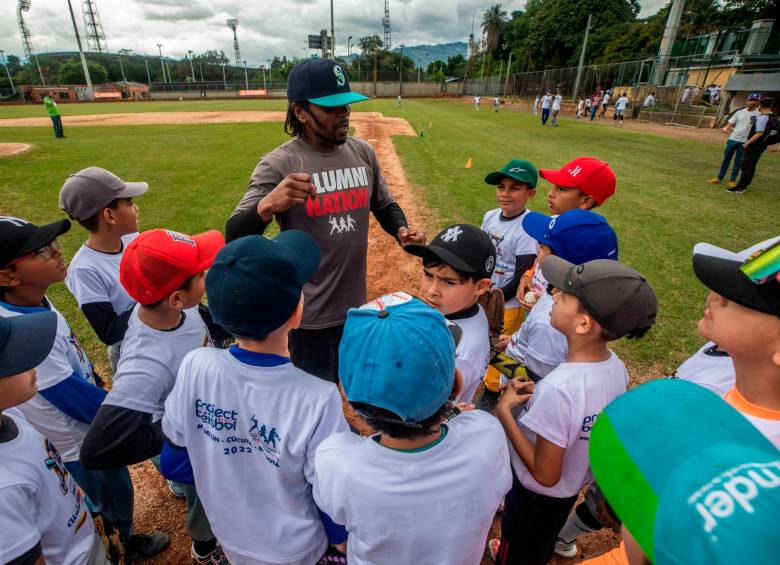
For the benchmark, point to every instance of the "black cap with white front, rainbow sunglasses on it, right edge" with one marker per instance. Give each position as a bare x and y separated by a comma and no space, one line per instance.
720,270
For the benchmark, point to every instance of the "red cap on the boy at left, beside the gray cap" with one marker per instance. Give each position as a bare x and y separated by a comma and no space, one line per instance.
157,262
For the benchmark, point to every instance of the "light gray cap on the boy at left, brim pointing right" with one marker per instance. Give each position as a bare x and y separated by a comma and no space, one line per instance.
90,190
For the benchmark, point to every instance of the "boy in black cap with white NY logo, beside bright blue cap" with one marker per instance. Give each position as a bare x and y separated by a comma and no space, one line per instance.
457,266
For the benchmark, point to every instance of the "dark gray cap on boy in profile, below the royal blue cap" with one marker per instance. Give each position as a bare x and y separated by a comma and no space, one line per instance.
618,297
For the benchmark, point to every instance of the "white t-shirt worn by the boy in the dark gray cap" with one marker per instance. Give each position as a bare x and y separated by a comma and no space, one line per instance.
563,409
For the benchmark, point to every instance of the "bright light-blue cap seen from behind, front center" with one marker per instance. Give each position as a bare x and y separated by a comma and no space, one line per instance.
397,353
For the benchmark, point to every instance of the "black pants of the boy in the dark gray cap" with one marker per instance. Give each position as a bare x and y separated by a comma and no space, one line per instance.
530,526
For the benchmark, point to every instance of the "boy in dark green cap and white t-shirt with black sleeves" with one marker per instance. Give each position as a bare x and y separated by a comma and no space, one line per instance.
515,250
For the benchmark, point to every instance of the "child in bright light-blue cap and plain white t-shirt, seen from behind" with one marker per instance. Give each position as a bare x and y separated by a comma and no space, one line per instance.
419,491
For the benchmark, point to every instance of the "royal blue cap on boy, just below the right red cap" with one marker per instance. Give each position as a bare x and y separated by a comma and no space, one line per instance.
577,236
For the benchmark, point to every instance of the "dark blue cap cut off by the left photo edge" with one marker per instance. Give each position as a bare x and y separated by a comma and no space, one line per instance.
29,342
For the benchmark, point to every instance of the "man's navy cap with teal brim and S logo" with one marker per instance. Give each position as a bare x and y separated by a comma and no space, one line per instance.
321,81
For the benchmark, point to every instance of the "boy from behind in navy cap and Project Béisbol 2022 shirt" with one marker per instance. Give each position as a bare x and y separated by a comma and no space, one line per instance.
246,420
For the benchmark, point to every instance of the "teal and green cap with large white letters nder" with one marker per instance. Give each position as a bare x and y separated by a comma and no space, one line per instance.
690,477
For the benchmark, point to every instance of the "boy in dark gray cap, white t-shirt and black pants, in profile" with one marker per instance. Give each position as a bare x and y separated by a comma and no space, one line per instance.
594,303
